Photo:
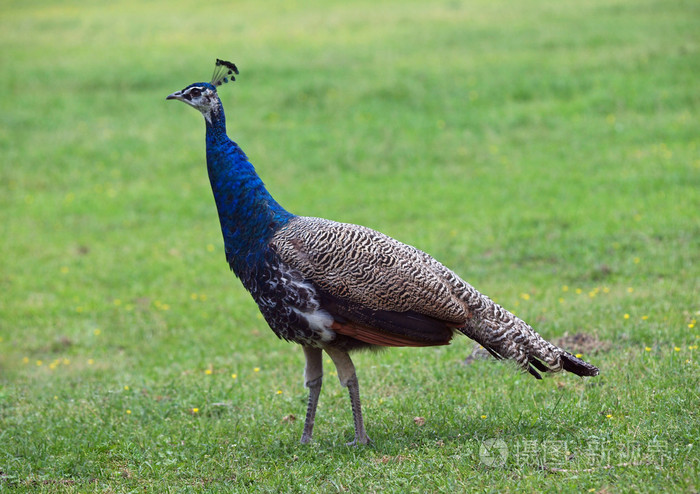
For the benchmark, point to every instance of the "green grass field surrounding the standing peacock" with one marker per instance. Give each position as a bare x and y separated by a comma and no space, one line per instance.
547,152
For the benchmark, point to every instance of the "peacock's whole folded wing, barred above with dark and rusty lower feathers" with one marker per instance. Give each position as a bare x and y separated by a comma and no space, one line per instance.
378,289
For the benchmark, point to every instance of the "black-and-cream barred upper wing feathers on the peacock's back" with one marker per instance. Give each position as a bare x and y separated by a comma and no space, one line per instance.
368,268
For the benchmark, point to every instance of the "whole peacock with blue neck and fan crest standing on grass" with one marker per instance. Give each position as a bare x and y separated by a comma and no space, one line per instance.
337,287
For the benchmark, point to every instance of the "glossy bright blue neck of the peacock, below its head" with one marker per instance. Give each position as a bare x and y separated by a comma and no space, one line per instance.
249,215
